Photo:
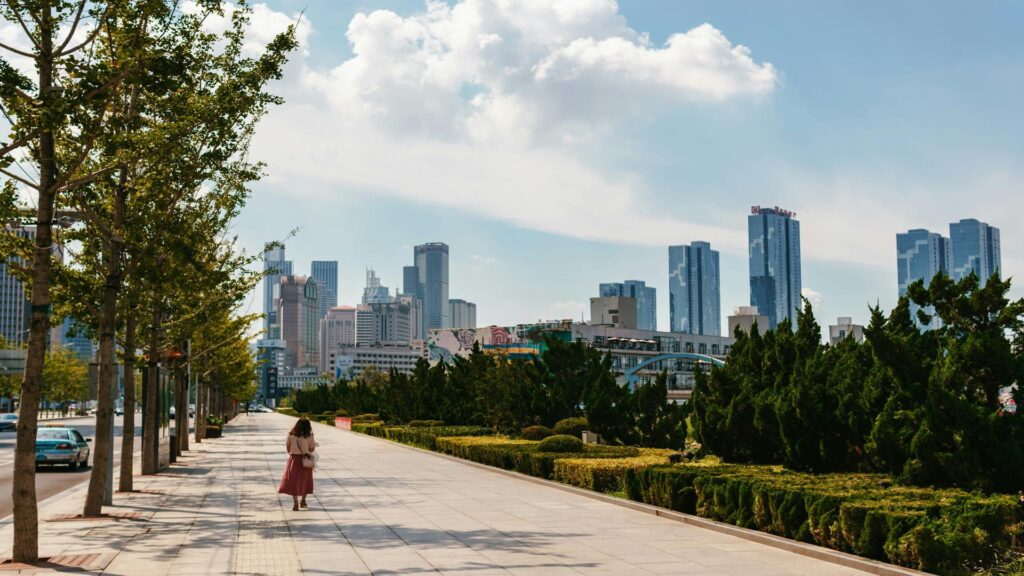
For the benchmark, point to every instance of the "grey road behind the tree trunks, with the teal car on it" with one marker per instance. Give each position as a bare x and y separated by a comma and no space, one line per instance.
52,480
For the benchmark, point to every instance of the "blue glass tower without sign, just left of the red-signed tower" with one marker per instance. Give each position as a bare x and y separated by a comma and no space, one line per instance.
695,290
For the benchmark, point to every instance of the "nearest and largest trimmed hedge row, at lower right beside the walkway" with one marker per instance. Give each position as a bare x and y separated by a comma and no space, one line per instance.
944,531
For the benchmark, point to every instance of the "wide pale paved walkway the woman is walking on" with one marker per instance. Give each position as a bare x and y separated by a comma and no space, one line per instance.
381,509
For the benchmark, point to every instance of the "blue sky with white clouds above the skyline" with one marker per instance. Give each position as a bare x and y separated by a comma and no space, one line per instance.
556,145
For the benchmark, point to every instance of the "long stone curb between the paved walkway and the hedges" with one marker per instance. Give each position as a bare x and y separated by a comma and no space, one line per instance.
810,551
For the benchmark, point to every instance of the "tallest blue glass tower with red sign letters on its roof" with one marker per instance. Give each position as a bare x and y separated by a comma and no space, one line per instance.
775,256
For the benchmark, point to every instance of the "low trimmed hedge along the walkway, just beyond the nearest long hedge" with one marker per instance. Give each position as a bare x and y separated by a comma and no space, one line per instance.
522,456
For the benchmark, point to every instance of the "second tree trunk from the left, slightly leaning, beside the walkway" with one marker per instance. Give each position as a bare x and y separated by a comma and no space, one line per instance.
108,332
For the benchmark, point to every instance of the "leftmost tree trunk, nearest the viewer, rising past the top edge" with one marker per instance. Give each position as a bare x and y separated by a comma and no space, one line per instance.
26,547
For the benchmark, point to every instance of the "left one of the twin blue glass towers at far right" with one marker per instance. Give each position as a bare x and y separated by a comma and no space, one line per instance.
921,256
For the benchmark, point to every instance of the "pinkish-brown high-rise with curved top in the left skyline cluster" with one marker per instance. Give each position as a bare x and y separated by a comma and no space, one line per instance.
297,312
